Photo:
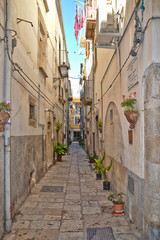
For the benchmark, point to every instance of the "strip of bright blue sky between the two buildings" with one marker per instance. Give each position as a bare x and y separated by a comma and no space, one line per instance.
68,11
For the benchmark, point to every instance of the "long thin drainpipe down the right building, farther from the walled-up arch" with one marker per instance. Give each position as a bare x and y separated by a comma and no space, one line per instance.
93,130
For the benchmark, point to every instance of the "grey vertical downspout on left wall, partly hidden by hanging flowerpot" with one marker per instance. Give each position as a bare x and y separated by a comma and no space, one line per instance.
7,133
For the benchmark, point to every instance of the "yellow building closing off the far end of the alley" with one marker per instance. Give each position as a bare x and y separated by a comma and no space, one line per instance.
75,106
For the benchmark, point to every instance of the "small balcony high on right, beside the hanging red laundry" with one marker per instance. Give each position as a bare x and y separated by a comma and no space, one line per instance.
90,23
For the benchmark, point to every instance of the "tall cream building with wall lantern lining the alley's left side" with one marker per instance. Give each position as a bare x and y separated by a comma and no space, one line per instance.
34,66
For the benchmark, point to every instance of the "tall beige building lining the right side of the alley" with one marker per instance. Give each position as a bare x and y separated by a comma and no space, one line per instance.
123,58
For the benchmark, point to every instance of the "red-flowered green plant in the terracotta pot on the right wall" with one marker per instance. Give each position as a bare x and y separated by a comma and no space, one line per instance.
129,103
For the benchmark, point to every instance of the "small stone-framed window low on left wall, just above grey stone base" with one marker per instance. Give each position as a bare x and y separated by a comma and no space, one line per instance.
32,121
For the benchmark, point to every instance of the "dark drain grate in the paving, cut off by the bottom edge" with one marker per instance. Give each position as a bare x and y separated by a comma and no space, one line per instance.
105,233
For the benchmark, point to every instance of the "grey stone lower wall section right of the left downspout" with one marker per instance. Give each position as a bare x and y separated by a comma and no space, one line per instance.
26,167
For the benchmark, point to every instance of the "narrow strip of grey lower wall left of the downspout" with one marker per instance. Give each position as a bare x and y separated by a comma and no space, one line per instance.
1,186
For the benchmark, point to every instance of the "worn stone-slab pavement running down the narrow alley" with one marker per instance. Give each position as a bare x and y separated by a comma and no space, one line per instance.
66,202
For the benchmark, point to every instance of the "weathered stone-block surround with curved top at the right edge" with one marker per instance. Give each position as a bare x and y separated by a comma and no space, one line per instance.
152,152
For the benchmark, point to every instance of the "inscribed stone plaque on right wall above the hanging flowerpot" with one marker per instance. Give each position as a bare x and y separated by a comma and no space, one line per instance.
132,73
